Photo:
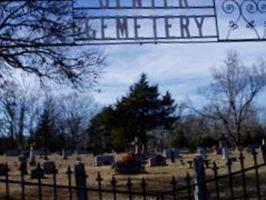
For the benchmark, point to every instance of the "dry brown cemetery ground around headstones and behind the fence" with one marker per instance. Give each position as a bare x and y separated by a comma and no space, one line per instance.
157,178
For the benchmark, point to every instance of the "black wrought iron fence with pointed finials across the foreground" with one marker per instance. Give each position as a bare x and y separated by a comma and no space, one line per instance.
246,183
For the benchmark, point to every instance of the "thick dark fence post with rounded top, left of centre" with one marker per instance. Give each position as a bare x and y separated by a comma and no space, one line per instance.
81,182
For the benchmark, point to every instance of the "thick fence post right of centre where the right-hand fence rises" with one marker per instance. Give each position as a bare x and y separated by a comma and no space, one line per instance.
201,192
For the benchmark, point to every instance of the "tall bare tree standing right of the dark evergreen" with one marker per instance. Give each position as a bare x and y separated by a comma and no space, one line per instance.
231,95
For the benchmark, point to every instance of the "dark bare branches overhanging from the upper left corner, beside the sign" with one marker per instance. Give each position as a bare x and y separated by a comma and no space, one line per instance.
38,37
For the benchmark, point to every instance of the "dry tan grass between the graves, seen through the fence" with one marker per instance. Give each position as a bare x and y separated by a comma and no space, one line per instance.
158,178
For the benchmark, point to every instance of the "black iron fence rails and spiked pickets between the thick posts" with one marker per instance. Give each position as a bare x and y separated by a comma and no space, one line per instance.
129,192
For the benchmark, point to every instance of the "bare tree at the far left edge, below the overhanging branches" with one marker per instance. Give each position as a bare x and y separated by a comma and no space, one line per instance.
19,107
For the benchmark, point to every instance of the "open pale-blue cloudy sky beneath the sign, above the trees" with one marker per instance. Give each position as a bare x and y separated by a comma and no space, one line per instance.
179,68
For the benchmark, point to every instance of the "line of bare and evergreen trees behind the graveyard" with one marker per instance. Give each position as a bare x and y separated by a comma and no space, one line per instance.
227,107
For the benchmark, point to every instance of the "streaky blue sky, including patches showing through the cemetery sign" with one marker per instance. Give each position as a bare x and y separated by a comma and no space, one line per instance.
178,68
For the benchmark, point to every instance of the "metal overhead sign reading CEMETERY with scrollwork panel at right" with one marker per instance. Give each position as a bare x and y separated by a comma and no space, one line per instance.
169,21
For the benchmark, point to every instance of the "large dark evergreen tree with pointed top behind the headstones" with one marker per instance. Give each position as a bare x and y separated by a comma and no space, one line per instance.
143,109
